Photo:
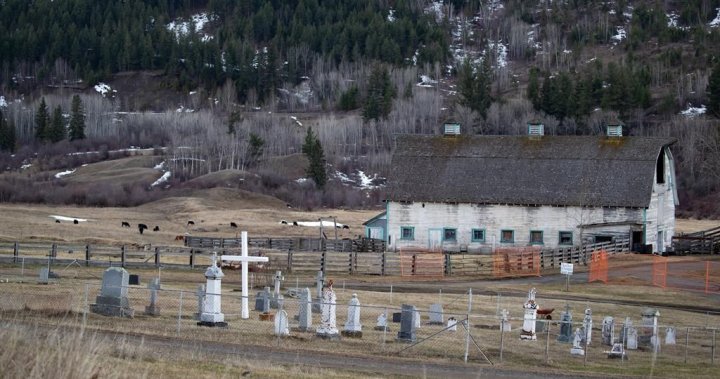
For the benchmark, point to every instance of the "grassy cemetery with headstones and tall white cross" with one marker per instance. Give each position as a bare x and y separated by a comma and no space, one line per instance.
597,328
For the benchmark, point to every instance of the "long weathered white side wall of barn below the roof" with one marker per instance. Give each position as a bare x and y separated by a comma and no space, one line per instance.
428,217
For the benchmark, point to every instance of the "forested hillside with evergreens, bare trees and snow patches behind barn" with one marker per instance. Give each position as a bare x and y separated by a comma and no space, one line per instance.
241,85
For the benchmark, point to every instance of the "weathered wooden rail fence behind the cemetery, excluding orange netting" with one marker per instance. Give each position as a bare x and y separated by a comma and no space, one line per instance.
288,260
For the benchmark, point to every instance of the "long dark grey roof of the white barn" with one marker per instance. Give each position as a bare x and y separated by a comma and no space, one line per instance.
533,170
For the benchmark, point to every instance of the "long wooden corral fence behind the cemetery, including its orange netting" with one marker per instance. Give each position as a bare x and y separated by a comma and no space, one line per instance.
289,260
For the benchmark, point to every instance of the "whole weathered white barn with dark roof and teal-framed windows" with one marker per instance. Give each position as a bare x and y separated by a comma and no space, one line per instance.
477,193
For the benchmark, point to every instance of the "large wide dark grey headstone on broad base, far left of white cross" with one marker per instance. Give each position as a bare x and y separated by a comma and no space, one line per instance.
113,300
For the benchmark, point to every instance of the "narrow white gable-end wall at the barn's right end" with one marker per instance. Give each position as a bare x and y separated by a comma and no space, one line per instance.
660,214
